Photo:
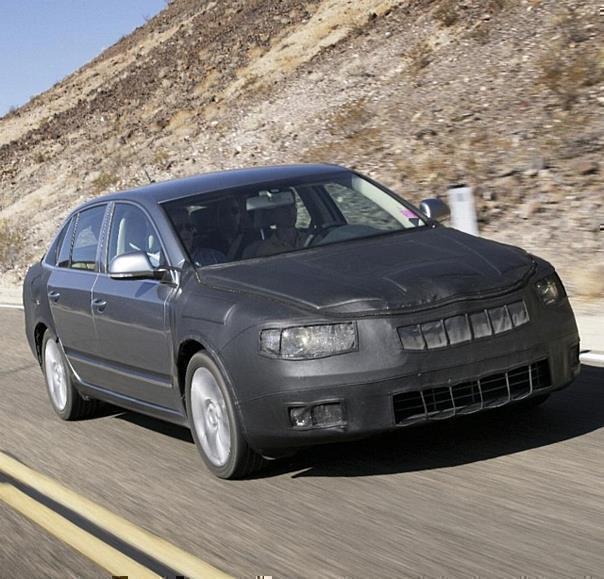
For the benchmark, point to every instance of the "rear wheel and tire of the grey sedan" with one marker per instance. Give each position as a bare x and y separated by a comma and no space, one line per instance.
66,401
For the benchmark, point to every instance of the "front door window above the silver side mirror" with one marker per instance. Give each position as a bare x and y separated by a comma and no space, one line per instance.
132,231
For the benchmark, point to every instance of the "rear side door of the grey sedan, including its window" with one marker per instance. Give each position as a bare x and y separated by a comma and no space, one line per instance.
70,289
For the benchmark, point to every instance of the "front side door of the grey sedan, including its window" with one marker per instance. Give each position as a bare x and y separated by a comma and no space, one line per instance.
131,316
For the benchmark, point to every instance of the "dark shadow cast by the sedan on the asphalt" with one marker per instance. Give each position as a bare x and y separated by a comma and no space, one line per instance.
572,412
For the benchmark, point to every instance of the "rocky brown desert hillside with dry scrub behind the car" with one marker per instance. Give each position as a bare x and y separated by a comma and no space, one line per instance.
505,95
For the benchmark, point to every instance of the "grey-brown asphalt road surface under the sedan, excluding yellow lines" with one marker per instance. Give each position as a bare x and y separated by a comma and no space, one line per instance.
504,493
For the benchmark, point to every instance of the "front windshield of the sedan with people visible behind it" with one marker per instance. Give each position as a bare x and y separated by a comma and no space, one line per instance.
266,219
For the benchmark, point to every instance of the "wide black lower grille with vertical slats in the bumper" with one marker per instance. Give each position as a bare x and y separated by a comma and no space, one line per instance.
473,395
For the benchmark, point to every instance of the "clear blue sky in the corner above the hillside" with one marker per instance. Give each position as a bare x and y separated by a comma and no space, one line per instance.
43,41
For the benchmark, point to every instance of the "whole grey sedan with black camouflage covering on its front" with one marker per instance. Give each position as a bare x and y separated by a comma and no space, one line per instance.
270,309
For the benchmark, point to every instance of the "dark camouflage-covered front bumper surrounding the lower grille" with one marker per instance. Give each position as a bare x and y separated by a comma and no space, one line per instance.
382,388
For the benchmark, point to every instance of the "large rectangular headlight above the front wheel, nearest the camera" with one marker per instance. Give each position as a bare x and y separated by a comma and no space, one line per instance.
304,342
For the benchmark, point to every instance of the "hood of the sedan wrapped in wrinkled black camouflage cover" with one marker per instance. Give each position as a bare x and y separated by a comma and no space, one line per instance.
406,271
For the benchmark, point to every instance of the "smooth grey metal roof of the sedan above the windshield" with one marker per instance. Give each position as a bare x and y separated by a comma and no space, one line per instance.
209,182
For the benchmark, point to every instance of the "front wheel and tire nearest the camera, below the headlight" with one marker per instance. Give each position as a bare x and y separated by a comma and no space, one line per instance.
214,422
